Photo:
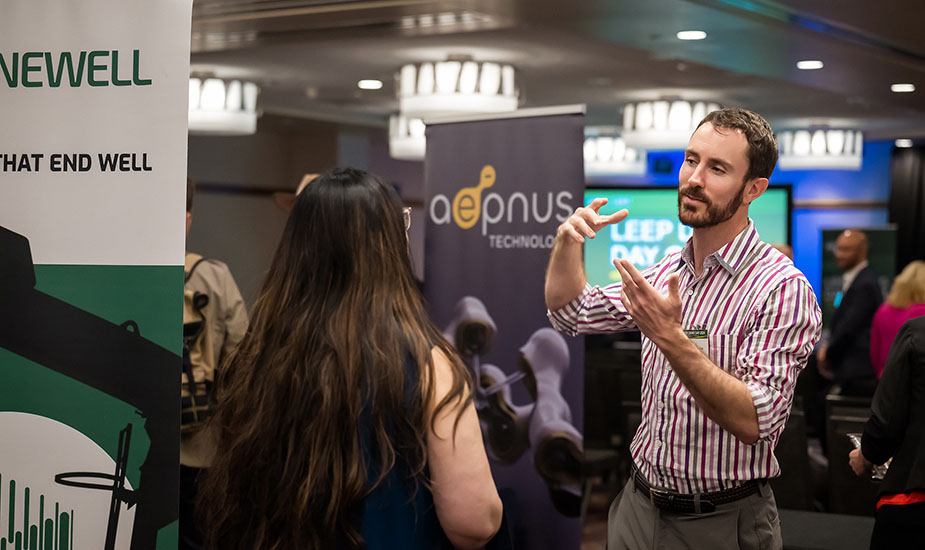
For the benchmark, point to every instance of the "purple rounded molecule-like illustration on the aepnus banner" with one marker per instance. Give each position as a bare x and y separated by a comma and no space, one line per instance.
509,429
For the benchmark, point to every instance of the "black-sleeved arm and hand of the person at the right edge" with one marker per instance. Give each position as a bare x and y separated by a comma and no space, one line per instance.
889,410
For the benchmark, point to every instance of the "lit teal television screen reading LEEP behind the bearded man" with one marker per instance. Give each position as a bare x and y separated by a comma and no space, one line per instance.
652,229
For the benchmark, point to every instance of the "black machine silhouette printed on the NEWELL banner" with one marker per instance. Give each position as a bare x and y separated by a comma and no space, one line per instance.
110,358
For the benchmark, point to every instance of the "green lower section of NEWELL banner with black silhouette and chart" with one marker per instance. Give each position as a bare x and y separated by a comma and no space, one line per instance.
102,319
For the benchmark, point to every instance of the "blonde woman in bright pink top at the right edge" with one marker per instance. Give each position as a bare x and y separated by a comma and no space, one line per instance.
905,301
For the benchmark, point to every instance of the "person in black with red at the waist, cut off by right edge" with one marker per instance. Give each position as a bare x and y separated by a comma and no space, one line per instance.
896,429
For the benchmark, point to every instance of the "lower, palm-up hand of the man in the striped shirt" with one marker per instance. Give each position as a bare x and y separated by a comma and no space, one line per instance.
657,316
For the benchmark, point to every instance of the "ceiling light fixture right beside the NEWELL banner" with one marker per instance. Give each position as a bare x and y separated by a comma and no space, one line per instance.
221,108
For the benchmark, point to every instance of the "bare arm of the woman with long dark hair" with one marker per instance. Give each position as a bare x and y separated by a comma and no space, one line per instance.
466,500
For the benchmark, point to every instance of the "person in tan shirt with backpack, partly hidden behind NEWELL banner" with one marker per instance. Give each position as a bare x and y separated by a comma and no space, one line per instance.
226,321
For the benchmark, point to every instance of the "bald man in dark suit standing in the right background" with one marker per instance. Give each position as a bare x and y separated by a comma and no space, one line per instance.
846,355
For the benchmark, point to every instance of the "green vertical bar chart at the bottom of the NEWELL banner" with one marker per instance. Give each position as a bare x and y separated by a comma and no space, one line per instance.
51,532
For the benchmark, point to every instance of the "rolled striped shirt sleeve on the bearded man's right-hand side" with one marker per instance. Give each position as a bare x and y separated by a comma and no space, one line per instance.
772,355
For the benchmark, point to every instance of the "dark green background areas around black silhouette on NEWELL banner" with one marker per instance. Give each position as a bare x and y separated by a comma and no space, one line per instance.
117,294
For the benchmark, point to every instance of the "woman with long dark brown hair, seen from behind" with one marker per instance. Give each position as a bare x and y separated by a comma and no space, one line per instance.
345,419
